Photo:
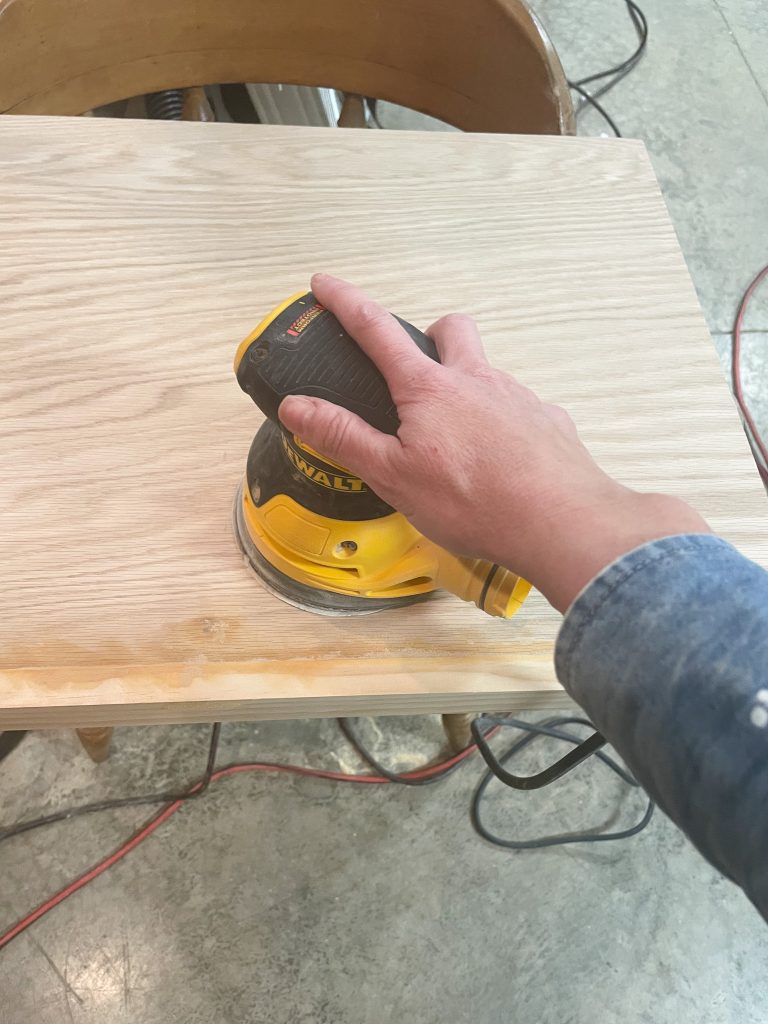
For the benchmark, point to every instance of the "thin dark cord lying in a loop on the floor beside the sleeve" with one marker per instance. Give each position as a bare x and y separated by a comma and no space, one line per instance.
535,731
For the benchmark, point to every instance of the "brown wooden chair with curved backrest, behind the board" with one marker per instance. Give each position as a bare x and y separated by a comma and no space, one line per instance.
479,65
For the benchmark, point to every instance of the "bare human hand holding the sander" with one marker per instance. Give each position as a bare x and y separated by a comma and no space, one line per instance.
480,464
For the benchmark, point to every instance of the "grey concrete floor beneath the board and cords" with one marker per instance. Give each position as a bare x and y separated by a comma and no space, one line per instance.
295,902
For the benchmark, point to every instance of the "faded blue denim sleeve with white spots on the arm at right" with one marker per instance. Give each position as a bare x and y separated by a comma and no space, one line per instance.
667,652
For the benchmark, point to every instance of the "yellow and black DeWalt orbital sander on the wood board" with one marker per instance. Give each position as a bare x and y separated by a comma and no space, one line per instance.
317,535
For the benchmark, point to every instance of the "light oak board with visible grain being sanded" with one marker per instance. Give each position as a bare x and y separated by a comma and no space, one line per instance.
134,259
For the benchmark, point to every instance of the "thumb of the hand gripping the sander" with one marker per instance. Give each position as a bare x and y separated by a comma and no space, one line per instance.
338,435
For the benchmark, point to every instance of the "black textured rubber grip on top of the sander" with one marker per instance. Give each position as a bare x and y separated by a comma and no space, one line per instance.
306,351
